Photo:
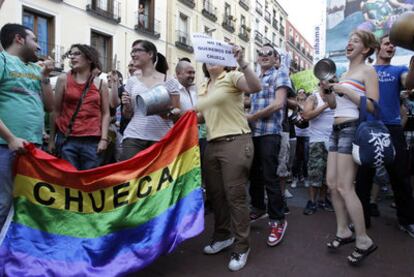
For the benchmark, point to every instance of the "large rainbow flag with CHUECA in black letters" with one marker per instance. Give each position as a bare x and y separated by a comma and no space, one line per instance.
107,221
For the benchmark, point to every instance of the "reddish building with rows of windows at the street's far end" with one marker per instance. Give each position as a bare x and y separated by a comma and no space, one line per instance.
298,48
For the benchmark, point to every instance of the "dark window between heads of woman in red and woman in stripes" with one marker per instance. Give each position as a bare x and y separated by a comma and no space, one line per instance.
103,44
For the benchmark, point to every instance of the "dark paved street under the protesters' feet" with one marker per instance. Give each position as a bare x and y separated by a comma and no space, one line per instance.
302,253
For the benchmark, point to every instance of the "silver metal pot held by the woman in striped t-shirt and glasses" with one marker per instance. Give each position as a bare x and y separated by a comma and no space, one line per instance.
154,101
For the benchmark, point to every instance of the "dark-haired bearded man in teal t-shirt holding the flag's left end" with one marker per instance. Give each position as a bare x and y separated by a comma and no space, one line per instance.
25,93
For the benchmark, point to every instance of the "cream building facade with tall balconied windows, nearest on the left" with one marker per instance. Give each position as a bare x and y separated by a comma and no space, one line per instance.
108,25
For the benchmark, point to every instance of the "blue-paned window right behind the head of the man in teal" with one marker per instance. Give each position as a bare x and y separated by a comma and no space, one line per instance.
44,28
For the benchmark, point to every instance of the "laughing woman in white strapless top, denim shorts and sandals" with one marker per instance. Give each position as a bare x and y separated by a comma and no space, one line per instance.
359,80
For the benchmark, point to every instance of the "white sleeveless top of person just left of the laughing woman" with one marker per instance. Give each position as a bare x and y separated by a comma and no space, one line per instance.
321,126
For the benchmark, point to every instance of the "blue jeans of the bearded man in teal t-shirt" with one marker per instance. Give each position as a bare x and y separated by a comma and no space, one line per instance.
6,182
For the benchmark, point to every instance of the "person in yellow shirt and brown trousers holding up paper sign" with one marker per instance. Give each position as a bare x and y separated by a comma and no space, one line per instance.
228,155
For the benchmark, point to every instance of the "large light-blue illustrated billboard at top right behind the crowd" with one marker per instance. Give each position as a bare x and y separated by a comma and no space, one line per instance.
377,16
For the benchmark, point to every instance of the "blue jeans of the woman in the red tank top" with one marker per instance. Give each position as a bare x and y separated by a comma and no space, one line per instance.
80,151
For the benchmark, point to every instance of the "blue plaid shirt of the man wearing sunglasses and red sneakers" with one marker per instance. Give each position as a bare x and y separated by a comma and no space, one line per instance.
271,80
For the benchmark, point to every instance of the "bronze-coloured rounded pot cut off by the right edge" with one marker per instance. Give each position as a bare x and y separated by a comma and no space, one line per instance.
402,31
